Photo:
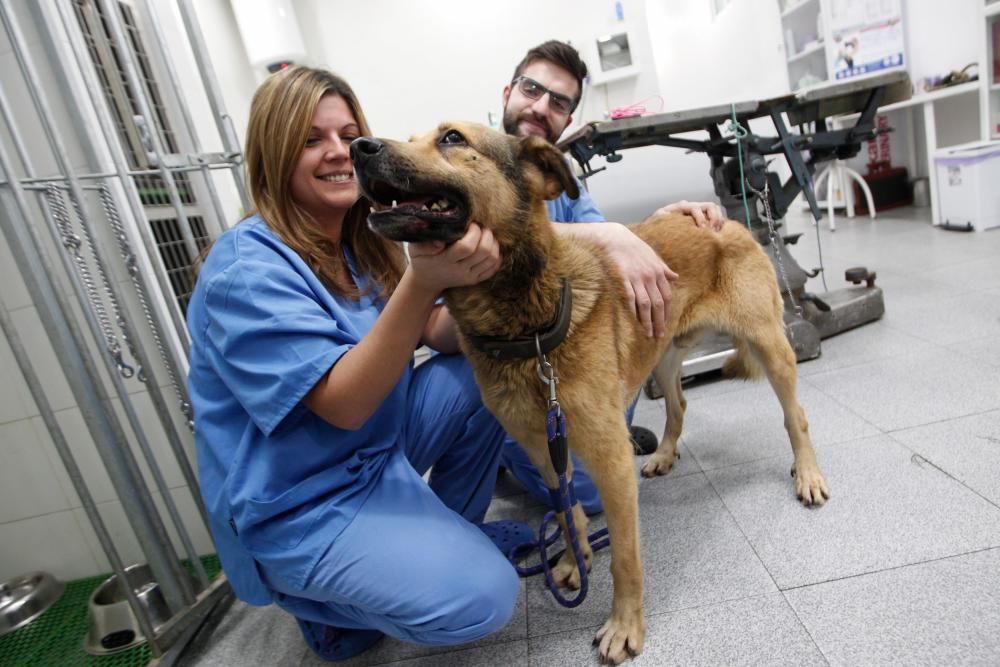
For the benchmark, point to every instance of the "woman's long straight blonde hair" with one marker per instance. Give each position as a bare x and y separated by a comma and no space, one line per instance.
280,119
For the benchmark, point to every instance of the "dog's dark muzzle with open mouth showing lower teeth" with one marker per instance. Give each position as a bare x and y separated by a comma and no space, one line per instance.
403,215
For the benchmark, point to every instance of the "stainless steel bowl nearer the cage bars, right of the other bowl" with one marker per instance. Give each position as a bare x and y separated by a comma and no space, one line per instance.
113,626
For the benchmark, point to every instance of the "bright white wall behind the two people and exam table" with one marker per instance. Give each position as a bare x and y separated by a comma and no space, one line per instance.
442,59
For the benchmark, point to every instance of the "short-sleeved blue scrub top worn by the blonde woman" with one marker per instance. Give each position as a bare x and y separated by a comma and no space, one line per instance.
279,482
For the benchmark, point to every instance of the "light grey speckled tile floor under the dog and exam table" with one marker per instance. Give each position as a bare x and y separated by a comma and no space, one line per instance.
902,566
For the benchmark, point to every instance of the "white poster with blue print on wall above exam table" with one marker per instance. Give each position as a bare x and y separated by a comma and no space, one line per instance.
867,36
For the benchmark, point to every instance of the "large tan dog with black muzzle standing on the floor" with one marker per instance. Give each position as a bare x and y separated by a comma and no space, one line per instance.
433,185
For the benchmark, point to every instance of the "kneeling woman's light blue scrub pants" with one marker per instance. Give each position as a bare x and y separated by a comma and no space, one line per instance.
412,564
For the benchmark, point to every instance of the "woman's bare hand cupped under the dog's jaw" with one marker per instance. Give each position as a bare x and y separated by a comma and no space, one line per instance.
469,260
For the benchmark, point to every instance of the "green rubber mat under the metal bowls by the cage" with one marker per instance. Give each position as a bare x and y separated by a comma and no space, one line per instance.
55,639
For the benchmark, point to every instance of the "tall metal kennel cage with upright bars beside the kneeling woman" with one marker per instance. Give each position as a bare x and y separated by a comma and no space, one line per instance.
107,199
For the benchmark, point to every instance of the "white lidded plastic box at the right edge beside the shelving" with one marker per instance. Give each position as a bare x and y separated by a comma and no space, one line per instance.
968,184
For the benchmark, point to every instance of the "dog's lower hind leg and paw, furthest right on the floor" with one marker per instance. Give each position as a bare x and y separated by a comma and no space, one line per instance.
775,355
